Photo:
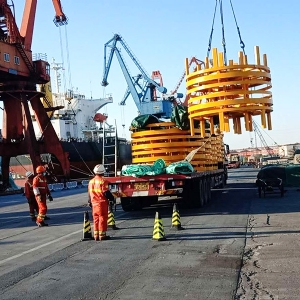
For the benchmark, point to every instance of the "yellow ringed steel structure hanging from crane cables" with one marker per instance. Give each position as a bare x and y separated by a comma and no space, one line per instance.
233,91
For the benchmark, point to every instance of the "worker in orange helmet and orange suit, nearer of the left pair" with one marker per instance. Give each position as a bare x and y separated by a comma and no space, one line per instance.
41,192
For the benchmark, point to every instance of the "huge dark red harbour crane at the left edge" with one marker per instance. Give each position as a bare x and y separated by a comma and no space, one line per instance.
19,75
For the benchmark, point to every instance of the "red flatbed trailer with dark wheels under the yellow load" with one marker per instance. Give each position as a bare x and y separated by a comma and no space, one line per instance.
193,190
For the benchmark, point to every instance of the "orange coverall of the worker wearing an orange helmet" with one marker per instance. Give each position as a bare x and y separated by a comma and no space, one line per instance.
41,190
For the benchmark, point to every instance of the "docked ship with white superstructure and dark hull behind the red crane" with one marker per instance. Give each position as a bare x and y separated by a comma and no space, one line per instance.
85,134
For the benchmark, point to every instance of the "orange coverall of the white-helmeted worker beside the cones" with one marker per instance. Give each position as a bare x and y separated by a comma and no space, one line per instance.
96,189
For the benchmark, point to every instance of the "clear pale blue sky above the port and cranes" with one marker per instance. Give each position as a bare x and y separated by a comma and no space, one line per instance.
161,34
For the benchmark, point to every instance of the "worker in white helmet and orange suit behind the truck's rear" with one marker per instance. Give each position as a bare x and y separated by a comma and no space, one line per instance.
99,198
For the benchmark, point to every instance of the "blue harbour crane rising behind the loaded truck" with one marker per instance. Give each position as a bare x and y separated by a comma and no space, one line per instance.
144,98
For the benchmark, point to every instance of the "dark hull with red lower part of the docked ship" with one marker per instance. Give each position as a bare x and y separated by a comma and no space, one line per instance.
83,157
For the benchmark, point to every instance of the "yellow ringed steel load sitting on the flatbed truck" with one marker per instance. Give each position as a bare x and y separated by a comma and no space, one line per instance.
166,141
